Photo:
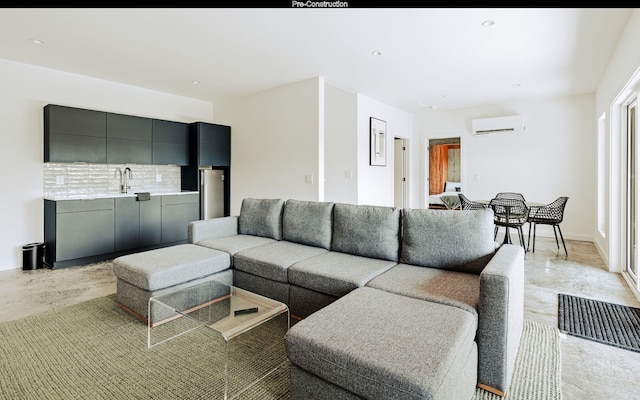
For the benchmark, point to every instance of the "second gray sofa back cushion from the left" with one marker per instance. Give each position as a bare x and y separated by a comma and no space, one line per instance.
308,222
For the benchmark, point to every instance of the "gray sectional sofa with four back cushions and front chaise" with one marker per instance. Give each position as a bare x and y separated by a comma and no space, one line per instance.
381,292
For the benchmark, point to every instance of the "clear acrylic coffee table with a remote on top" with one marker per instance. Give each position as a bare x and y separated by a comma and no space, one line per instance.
227,311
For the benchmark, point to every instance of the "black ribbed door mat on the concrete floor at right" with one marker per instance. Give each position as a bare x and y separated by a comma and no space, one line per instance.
602,322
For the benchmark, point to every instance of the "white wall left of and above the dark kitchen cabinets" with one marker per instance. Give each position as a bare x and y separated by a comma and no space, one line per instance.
25,91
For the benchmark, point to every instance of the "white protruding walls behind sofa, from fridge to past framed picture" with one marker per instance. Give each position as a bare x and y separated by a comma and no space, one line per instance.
308,128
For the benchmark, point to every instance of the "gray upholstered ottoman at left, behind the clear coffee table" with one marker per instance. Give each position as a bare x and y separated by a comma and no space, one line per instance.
143,275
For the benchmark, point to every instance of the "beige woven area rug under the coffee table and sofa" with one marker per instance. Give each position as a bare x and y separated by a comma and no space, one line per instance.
95,350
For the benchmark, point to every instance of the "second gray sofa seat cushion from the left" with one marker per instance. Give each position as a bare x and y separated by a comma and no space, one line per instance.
272,260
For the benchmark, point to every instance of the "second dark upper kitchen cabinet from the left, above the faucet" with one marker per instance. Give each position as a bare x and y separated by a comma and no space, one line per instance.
129,139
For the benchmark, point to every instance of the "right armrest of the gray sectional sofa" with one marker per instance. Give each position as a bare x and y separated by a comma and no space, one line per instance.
500,317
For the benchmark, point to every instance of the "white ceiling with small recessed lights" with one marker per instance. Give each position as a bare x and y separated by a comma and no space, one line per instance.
430,56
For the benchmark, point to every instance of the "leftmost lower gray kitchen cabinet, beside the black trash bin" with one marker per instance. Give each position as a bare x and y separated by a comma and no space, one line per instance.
78,229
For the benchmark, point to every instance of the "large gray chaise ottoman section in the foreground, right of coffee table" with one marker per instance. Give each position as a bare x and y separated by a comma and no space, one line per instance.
373,344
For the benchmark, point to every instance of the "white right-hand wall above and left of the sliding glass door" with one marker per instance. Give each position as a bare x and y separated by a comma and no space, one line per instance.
624,64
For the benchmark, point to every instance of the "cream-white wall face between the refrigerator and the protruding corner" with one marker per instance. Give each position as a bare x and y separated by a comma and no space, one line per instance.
275,140
